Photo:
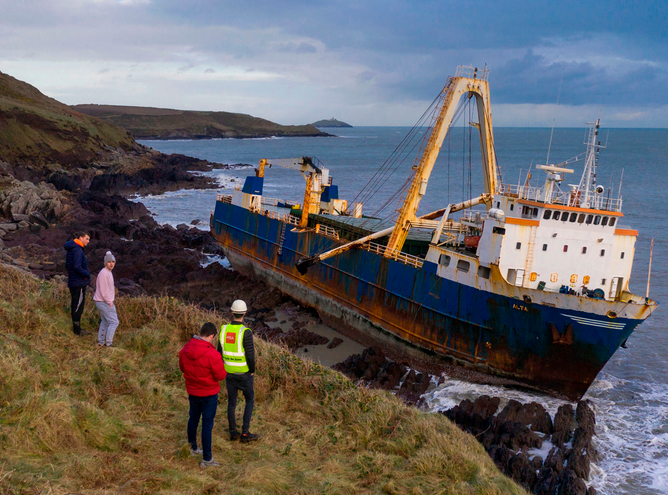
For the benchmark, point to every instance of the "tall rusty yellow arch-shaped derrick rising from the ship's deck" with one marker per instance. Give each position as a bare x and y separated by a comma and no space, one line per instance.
466,82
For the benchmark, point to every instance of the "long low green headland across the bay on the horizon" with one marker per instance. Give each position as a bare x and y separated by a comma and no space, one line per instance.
163,123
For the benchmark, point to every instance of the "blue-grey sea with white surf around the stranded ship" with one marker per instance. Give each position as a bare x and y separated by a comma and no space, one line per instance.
630,395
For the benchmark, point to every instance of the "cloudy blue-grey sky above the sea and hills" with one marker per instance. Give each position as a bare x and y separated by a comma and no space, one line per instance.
365,62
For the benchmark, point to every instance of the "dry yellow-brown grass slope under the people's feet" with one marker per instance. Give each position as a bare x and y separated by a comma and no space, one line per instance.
77,419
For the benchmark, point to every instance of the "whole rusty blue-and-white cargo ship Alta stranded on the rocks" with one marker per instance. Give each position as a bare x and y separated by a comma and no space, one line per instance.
533,289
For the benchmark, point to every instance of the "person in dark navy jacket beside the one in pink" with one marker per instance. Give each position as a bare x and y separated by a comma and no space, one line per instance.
78,277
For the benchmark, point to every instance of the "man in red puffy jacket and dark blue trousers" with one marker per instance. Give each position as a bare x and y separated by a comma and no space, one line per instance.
202,368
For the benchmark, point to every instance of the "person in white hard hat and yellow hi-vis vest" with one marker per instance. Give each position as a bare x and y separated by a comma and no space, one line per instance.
238,351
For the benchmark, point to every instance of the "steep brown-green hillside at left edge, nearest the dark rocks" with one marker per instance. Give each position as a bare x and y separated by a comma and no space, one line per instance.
38,130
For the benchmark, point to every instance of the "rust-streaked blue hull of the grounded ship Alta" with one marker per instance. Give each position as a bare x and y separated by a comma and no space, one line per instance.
540,346
